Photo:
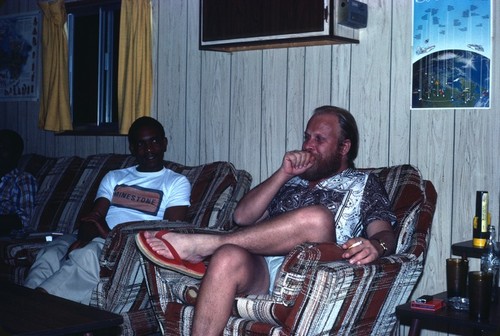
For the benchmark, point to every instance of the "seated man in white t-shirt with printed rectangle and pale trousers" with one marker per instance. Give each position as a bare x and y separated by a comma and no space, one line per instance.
69,266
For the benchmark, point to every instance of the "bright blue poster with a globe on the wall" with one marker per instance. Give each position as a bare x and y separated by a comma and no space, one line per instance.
451,54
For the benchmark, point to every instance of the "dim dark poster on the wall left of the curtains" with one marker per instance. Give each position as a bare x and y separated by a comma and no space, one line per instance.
19,56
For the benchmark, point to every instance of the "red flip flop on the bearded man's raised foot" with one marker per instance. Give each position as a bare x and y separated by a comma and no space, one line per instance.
196,270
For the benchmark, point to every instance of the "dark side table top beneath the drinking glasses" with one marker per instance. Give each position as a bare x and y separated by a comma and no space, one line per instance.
449,316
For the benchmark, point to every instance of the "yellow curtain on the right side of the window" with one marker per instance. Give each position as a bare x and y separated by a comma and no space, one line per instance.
135,68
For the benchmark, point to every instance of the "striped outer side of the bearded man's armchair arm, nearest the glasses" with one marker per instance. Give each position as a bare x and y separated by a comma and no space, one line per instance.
357,300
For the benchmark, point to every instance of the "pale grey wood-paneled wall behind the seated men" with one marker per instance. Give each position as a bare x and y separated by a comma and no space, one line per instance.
250,107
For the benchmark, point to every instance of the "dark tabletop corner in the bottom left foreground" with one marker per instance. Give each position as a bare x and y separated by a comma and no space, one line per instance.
24,311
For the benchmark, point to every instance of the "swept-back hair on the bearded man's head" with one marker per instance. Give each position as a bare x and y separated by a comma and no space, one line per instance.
348,127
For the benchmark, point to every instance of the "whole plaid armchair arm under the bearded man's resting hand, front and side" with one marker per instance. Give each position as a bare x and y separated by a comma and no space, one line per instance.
311,288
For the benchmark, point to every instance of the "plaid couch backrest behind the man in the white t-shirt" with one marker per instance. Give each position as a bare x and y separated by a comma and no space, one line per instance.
68,185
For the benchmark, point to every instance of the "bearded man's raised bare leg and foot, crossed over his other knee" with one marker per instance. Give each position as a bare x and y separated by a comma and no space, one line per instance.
275,236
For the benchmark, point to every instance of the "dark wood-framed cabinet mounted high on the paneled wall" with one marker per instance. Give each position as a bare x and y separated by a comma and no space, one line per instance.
235,25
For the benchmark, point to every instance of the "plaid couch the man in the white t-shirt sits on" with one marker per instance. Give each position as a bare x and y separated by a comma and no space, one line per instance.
67,188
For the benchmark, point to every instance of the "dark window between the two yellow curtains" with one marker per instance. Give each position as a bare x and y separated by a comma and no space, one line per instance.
93,35
